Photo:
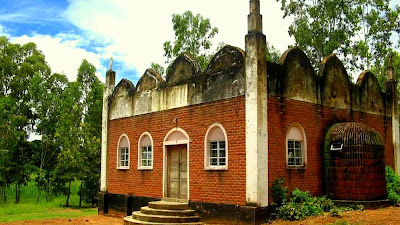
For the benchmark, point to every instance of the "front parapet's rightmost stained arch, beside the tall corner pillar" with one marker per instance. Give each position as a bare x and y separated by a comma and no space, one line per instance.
228,59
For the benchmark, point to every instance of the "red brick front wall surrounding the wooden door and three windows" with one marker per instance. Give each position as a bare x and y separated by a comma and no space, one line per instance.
205,186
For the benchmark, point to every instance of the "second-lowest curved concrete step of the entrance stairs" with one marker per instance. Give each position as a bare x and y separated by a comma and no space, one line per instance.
164,219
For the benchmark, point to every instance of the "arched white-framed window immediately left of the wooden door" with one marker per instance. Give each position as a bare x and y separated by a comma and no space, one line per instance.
145,151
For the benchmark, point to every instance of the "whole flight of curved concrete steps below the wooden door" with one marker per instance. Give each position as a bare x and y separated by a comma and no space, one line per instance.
167,211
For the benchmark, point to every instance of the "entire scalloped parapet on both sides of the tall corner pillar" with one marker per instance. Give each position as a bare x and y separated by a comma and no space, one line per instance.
292,78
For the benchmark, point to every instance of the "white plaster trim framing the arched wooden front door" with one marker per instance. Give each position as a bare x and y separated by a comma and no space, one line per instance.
165,144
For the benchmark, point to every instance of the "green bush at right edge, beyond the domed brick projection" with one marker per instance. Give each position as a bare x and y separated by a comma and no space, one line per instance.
392,186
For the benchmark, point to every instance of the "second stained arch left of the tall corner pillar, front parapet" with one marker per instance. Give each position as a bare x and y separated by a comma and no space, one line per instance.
184,68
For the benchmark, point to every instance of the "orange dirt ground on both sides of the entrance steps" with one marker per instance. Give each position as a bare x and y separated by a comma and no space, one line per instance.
385,216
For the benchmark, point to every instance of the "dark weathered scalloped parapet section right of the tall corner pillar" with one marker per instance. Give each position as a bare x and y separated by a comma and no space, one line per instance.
294,78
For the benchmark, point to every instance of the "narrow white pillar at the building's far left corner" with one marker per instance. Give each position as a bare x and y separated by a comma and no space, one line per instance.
108,89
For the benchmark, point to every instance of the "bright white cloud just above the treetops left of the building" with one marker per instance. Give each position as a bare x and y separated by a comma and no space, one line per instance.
63,53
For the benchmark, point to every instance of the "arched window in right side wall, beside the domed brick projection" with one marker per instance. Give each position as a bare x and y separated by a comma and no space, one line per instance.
296,146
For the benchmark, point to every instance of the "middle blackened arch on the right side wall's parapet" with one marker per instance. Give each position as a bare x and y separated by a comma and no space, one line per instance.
335,85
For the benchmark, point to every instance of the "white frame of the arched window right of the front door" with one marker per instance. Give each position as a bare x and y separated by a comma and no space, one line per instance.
207,149
